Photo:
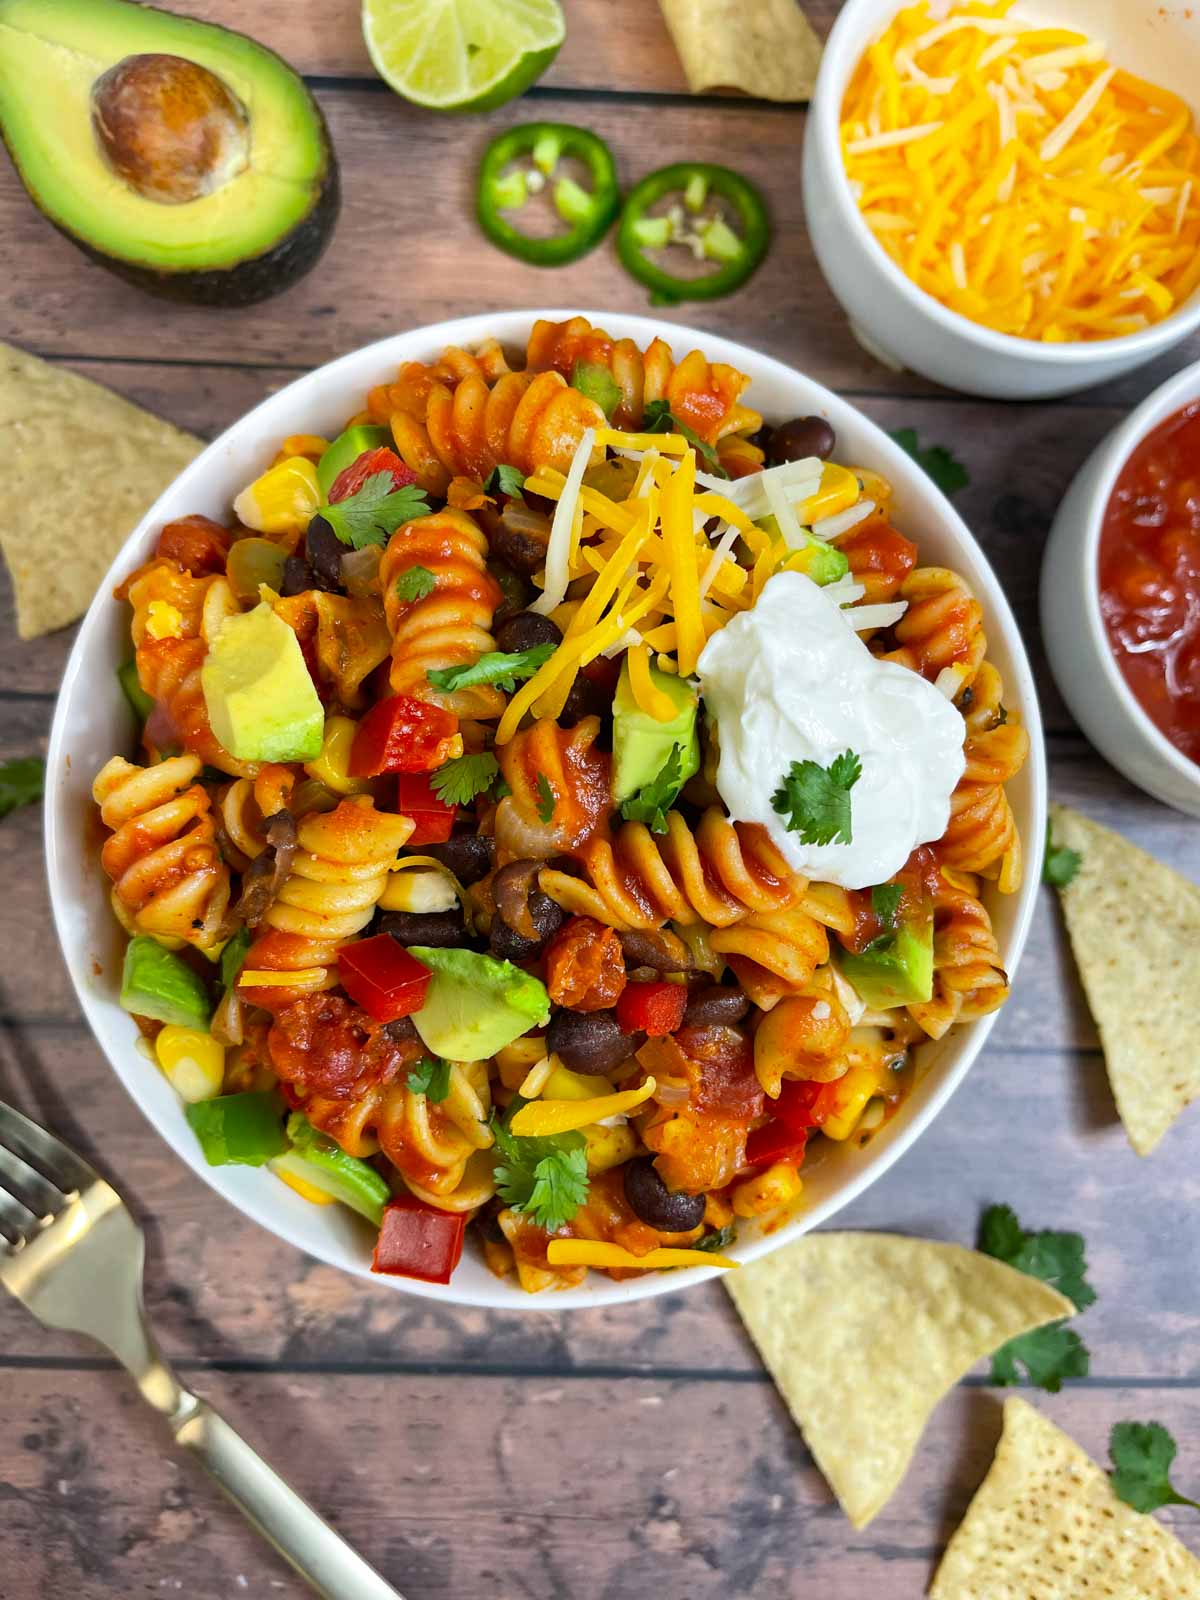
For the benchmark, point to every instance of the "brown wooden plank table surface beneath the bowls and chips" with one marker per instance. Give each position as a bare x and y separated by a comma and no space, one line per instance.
596,1457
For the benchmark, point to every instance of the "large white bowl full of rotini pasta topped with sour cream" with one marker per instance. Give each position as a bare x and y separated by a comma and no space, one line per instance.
439,889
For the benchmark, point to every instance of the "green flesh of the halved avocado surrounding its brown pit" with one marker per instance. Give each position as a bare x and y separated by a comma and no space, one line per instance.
52,54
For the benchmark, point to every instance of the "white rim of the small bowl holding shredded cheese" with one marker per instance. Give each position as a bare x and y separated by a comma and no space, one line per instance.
847,42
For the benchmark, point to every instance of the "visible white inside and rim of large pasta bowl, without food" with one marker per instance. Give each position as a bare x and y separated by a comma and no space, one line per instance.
92,724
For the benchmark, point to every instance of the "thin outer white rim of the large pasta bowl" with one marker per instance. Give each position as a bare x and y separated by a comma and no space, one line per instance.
511,329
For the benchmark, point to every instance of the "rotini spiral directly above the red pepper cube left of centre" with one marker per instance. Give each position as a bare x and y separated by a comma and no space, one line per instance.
338,874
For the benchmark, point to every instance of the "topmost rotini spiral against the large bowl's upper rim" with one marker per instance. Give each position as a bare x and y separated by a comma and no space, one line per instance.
702,394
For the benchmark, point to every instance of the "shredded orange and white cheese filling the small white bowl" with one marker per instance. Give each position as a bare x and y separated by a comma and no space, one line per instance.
1023,180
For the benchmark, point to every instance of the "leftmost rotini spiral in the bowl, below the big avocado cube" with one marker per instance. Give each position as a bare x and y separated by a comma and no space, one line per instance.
169,876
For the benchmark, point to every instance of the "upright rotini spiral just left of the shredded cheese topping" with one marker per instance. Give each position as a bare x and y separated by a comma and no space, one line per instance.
450,626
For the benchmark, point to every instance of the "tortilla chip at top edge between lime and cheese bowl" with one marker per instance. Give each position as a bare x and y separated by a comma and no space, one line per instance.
766,49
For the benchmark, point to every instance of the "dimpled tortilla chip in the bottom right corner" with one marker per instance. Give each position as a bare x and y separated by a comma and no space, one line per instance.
1046,1526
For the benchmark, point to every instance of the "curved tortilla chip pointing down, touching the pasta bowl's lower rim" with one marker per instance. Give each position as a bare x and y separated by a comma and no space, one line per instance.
865,1334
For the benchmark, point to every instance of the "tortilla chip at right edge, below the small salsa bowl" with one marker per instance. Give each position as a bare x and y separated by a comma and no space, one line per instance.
1135,929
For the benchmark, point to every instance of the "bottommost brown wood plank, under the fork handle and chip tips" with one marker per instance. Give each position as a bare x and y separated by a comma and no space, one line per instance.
450,1486
